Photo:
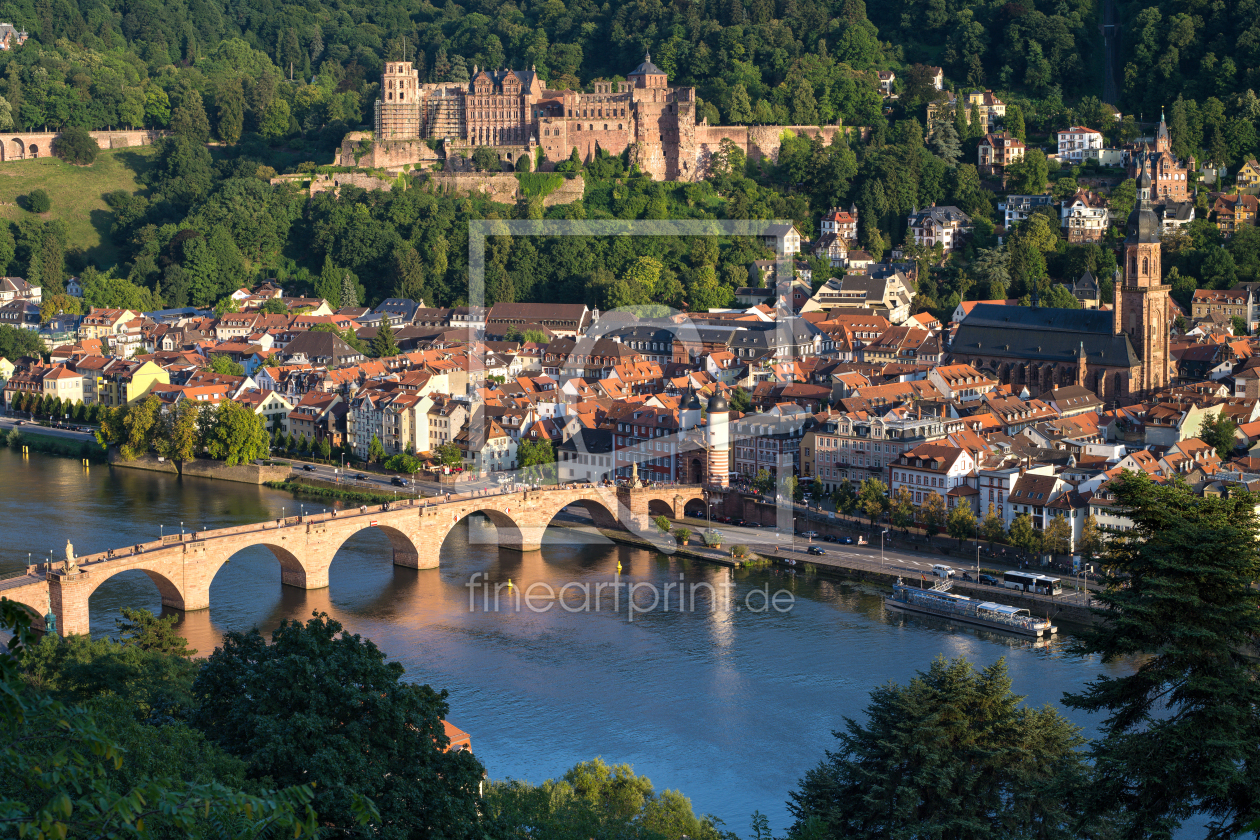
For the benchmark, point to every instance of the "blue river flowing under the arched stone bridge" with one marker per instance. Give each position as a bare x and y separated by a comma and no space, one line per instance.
729,705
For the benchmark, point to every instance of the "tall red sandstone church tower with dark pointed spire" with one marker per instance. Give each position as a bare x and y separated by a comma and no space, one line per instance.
1143,310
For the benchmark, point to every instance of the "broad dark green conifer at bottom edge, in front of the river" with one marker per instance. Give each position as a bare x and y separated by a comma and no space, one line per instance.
953,754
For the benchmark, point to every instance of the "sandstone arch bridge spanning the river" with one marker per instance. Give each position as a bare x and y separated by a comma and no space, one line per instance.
183,566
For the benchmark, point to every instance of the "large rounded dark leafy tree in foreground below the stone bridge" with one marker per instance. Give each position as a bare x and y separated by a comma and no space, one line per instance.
326,708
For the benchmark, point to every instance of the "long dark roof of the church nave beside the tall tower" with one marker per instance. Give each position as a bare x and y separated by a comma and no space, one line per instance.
1043,334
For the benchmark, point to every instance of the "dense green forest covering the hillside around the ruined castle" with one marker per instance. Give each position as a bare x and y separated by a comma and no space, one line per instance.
253,90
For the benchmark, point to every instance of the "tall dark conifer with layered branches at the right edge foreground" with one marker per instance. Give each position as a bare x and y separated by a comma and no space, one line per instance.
1181,727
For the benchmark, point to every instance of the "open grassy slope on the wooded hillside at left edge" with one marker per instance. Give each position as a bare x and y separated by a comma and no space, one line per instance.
77,195
